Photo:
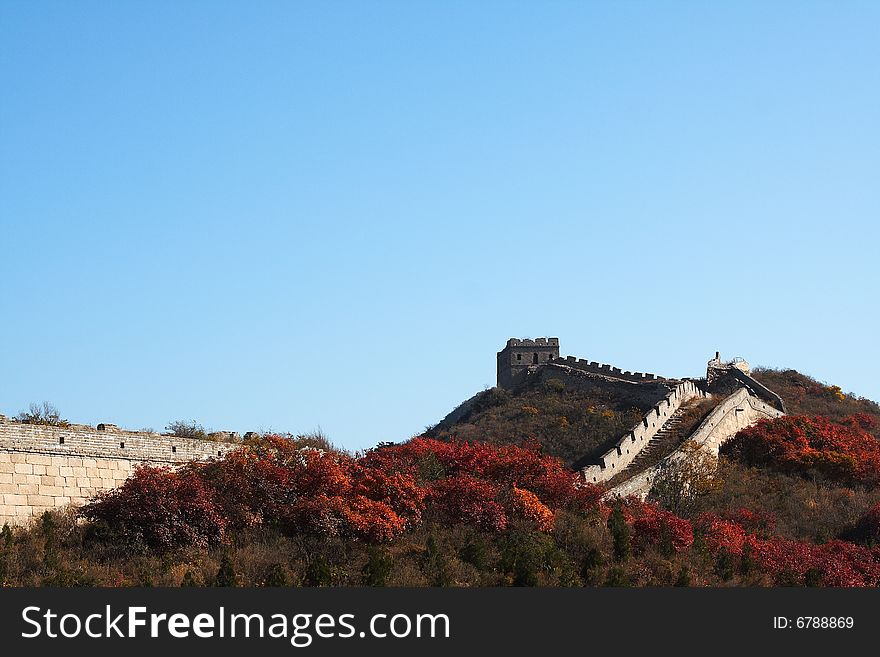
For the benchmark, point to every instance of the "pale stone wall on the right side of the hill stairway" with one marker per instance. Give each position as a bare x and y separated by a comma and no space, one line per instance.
739,410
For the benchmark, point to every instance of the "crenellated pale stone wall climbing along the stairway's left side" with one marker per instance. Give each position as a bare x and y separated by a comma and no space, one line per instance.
628,447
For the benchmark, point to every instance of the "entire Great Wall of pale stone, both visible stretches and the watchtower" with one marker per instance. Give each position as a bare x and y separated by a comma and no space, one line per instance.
44,467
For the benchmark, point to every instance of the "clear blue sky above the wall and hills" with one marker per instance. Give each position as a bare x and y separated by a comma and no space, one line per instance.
285,215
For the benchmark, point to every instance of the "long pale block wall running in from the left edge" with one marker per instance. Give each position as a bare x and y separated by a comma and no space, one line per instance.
43,467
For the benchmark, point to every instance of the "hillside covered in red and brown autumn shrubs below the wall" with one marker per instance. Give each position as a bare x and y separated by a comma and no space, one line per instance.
795,502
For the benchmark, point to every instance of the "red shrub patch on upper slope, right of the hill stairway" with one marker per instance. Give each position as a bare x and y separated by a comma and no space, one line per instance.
842,452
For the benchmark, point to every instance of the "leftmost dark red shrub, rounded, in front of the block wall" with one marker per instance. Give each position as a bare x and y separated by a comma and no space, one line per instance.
161,509
